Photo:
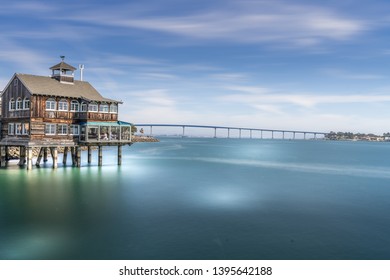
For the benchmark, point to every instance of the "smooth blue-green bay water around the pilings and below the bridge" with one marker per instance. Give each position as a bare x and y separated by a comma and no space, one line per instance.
204,199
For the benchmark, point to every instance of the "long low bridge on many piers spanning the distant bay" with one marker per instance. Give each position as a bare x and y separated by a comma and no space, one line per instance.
305,134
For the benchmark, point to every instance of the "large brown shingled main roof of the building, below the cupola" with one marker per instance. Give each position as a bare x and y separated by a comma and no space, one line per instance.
41,85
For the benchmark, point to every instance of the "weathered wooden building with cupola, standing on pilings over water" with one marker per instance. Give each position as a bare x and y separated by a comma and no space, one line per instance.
49,112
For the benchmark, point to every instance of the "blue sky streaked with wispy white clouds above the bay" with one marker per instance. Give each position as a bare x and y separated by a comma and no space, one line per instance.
313,65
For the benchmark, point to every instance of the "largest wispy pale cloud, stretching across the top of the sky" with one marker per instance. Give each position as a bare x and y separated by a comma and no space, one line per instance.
245,22
